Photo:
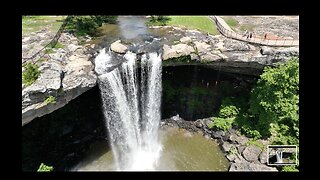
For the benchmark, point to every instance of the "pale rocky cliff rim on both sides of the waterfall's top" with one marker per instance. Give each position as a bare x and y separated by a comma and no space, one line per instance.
67,71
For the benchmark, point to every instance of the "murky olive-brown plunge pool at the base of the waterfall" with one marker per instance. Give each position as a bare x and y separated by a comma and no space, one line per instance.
182,151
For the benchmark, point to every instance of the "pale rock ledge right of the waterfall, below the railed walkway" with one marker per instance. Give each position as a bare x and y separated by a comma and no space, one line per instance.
226,54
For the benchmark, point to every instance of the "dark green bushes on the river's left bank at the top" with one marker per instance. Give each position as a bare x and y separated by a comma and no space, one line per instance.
83,25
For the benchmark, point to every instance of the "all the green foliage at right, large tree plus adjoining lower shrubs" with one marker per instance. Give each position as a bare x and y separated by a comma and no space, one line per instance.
273,108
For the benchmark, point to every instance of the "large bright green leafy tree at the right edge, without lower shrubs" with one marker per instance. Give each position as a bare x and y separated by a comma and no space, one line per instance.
274,102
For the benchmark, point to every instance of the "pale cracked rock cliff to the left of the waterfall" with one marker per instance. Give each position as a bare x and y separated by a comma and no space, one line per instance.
65,73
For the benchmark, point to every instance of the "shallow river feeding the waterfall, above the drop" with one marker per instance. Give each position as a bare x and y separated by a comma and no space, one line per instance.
133,30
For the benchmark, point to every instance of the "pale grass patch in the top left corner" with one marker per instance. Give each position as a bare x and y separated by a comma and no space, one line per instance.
35,23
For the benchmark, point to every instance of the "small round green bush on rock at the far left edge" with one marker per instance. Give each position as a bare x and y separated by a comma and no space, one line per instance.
30,74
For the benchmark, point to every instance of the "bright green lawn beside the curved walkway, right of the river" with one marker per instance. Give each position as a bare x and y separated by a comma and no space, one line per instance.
201,23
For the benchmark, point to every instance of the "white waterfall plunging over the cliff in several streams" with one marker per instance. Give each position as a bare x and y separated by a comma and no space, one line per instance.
132,109
